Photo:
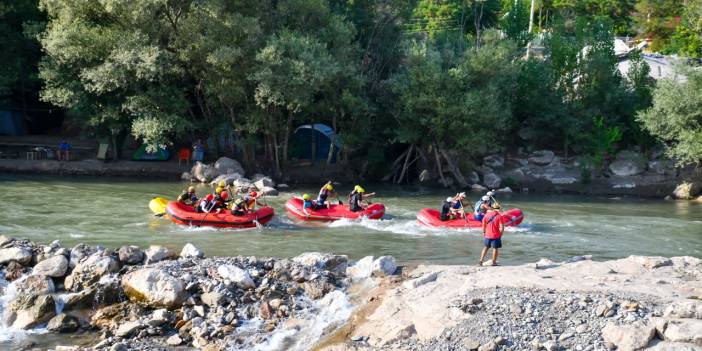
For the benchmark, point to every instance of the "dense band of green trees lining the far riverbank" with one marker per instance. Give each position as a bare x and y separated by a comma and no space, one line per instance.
444,81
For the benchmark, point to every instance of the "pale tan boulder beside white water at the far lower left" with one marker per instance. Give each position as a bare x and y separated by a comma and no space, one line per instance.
30,310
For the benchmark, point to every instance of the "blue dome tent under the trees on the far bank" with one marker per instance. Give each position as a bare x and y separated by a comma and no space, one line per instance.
312,141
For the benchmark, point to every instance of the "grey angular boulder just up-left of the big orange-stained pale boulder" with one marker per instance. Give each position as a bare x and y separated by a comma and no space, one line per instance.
89,271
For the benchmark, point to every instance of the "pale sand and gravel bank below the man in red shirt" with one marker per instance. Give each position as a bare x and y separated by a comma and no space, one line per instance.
628,304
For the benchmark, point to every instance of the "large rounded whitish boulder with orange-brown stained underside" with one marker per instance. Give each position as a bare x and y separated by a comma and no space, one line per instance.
153,288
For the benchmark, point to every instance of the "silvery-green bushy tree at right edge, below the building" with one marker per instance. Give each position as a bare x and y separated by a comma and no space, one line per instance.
676,117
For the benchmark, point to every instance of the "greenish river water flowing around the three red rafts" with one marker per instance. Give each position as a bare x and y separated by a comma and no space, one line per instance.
113,212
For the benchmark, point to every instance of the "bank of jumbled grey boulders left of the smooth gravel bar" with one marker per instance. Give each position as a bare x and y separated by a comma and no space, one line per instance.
135,299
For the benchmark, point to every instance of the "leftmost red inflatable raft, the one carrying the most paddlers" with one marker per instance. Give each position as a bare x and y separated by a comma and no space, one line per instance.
186,215
